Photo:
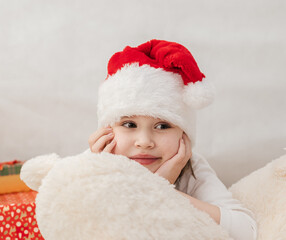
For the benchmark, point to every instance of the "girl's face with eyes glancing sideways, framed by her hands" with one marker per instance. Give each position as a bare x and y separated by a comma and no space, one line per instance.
147,140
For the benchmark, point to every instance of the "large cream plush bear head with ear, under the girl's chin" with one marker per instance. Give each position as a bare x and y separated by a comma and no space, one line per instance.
109,197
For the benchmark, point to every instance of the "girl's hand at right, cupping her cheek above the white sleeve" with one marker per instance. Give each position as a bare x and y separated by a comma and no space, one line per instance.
172,168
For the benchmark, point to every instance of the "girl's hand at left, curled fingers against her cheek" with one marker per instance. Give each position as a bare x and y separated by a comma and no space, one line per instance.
102,140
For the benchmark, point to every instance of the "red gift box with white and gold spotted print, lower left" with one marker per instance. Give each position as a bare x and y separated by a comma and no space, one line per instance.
17,217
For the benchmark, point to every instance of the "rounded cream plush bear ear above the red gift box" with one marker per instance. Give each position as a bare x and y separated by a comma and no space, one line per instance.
35,169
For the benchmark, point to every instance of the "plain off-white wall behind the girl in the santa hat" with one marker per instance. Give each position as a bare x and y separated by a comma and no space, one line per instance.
53,55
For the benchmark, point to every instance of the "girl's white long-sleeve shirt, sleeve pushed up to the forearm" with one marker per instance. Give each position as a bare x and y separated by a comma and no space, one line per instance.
207,187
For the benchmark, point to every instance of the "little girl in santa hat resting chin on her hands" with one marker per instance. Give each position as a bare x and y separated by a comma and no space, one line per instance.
146,111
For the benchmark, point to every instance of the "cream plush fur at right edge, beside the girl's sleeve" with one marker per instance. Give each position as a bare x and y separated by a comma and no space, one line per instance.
264,192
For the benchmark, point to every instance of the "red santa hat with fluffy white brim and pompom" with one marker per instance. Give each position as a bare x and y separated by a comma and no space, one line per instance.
159,79
